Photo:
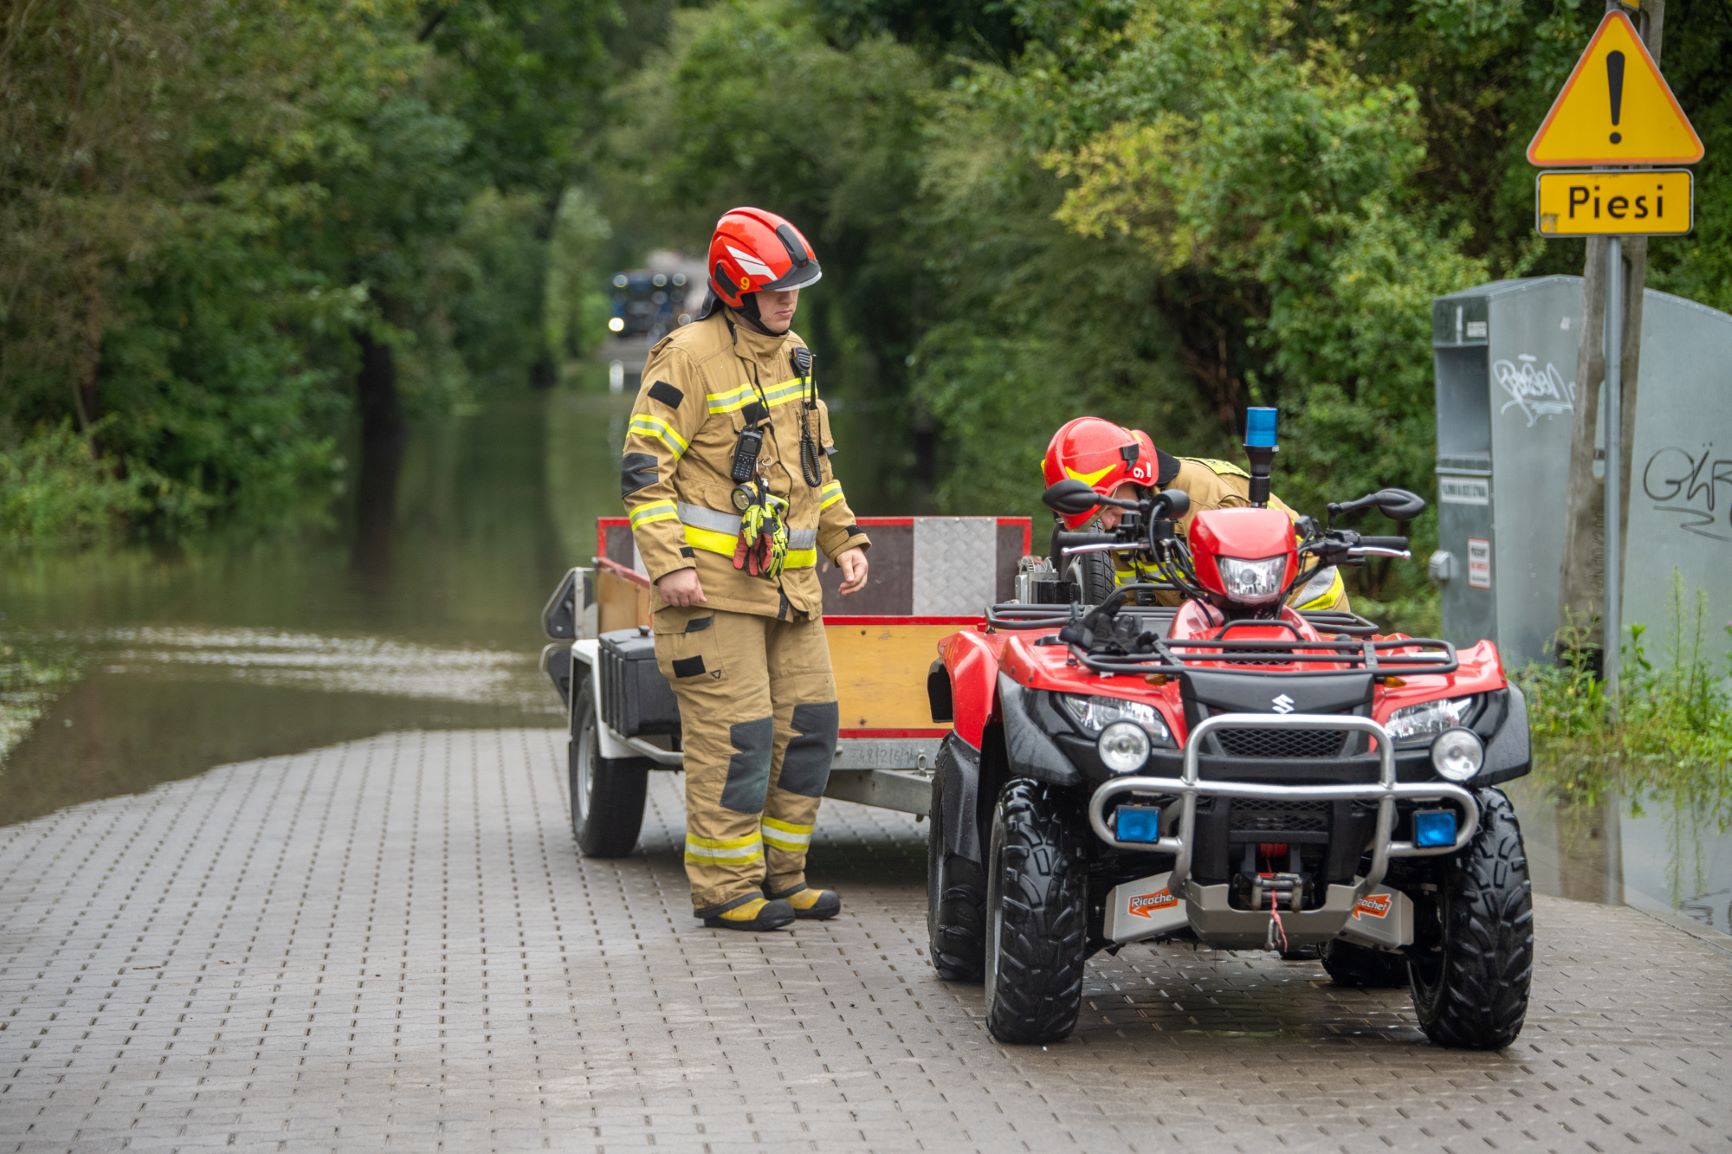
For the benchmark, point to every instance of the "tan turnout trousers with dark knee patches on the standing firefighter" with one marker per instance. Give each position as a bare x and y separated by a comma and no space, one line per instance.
758,711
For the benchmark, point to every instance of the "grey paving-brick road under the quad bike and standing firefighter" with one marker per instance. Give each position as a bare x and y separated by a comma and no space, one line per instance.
392,945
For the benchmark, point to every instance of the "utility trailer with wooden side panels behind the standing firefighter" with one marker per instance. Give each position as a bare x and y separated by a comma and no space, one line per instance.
931,576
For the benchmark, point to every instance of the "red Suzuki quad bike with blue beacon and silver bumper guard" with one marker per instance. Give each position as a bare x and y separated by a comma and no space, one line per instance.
1229,772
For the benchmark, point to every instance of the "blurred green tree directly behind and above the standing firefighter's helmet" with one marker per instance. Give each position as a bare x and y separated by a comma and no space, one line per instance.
749,105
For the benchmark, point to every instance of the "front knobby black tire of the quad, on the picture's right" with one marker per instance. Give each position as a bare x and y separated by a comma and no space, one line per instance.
1473,956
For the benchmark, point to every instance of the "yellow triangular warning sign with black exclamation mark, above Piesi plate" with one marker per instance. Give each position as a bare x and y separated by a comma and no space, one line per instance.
1615,110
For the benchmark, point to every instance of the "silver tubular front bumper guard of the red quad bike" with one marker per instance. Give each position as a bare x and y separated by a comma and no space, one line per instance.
1189,788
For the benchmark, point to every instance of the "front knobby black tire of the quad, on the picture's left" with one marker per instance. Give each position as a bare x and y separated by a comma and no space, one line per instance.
1037,909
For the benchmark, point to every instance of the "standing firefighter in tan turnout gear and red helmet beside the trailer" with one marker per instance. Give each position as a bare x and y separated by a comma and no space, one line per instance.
728,484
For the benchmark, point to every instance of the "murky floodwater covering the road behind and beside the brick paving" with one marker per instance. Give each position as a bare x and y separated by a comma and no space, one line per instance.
420,607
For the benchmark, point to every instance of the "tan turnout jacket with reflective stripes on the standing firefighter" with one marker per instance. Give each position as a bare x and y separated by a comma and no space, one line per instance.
680,451
